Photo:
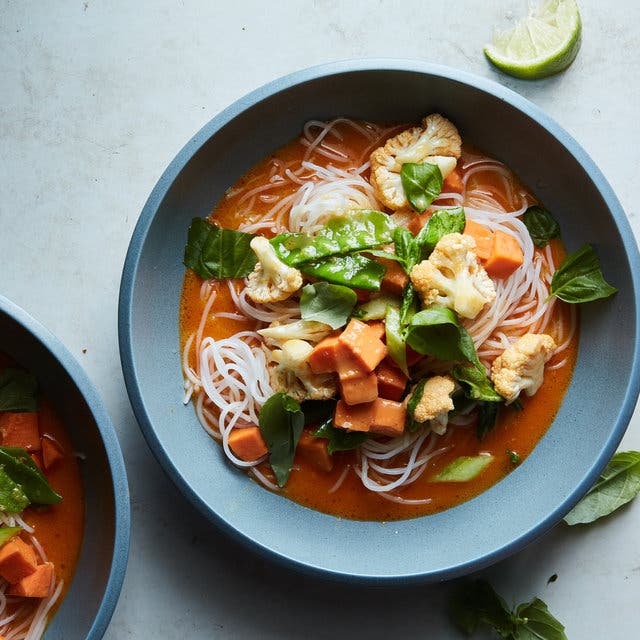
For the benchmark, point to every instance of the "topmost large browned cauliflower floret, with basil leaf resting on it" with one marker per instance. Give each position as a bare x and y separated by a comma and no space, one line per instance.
437,141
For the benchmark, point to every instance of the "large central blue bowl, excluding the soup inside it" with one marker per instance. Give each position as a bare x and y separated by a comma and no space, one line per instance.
597,407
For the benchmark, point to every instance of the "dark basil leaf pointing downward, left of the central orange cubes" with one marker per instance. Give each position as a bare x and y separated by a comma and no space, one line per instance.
281,422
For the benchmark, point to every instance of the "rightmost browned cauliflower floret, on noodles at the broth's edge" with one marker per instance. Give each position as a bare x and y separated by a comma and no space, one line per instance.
521,366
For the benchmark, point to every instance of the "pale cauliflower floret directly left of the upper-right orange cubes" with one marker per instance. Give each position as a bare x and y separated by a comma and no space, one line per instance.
453,277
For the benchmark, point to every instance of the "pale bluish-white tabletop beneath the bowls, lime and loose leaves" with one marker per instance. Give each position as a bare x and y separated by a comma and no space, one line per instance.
95,100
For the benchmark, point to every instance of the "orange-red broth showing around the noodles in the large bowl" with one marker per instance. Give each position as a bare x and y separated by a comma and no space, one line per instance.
518,431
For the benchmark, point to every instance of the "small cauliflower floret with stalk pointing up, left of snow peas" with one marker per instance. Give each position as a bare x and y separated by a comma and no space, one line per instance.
271,280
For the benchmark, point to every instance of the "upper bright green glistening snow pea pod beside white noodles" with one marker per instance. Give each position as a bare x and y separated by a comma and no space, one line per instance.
361,230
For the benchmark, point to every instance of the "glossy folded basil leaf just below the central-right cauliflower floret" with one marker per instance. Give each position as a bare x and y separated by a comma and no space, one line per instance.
436,331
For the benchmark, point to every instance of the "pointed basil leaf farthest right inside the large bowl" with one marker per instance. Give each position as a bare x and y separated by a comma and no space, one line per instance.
579,279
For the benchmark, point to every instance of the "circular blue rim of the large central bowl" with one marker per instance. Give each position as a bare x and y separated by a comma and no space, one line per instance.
278,85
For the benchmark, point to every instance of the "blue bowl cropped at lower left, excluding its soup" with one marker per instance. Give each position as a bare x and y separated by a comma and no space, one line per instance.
88,606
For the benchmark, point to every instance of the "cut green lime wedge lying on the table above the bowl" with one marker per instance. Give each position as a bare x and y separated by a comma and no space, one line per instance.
544,43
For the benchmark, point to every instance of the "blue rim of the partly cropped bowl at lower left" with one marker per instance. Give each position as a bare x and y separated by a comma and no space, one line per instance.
113,451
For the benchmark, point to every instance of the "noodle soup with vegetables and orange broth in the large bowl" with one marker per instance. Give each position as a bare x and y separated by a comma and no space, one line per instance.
372,446
